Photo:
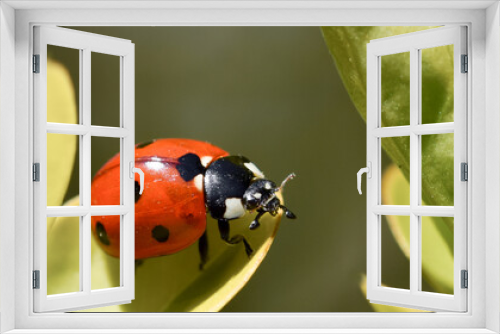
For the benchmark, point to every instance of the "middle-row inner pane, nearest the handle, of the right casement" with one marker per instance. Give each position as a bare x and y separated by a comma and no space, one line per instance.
395,194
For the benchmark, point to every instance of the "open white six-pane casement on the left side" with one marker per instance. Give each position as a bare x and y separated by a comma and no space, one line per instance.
85,43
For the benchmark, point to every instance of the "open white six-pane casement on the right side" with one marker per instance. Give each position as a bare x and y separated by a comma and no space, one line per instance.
413,44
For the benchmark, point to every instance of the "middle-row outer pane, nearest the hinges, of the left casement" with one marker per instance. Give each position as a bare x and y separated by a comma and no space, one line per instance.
63,169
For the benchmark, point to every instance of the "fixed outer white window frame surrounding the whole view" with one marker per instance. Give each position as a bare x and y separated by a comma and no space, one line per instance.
482,18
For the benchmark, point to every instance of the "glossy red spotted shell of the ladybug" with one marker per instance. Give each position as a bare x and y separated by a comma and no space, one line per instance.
167,201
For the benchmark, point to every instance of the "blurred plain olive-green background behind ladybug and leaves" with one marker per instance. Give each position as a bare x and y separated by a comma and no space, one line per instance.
274,95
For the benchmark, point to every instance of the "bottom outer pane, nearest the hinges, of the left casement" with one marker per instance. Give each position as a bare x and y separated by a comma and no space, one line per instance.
63,255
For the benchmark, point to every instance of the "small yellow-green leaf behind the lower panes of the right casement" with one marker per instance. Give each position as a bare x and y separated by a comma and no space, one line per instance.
437,238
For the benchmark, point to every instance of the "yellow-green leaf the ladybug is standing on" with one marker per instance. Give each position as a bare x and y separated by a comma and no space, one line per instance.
171,283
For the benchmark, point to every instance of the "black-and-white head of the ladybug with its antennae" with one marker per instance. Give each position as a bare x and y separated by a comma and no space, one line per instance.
261,196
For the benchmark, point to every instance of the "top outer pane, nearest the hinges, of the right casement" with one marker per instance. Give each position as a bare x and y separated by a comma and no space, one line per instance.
437,84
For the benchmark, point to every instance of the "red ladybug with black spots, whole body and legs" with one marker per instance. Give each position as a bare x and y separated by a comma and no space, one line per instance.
184,179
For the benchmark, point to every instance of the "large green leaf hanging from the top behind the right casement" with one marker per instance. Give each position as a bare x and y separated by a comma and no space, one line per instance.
348,48
